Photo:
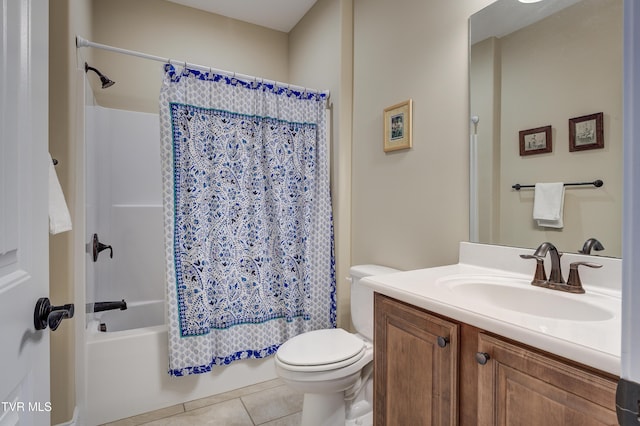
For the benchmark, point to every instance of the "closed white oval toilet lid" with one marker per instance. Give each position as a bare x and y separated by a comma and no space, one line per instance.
320,347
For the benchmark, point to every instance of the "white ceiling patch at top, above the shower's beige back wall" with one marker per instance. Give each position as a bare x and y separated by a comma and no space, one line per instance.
281,15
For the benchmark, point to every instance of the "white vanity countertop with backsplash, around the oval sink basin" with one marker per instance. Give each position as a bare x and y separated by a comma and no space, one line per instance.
596,343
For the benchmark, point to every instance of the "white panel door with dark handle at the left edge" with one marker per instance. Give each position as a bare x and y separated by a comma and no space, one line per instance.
24,244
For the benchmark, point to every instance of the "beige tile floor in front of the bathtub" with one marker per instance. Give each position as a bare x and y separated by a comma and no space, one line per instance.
264,404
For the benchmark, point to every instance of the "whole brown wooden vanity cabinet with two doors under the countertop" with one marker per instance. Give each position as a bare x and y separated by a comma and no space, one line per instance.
428,371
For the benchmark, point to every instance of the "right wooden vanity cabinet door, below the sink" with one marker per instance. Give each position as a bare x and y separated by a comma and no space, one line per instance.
518,386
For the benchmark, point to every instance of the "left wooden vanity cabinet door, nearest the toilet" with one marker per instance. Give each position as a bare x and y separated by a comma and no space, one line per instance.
415,366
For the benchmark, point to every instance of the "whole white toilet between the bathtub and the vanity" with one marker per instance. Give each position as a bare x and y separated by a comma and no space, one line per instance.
334,368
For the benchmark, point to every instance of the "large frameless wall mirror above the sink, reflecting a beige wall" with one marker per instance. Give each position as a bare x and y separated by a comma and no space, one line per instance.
541,66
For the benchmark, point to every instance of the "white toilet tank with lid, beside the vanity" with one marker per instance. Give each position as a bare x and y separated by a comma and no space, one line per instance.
362,297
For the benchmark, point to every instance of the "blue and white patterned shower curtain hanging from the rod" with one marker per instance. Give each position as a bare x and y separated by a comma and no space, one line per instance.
248,222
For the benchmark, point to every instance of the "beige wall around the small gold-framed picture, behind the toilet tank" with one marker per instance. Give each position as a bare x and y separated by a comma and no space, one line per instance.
411,208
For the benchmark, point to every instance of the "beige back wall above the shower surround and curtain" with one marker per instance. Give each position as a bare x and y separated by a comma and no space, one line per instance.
169,30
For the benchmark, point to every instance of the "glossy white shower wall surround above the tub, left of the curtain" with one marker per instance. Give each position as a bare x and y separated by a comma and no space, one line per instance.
124,208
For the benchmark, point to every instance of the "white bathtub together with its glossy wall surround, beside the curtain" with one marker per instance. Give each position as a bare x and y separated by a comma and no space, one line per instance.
126,367
